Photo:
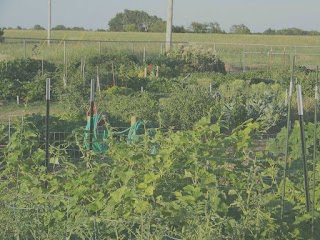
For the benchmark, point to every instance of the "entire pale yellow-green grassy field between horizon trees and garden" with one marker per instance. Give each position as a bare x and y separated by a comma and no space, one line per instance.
239,52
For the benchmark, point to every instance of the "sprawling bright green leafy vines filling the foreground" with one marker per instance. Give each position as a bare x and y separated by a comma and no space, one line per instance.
198,184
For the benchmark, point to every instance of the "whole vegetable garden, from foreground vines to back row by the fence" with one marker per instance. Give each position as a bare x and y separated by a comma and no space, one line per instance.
207,161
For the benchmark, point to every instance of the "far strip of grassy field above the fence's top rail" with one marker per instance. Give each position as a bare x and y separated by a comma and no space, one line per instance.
177,37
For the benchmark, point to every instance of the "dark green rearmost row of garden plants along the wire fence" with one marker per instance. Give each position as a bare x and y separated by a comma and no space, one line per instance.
22,77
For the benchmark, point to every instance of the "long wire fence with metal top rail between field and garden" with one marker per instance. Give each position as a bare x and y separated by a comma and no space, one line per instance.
237,57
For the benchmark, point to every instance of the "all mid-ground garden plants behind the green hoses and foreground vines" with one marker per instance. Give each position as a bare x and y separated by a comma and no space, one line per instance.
177,98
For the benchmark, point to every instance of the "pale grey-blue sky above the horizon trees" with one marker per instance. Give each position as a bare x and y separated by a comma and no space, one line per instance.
257,15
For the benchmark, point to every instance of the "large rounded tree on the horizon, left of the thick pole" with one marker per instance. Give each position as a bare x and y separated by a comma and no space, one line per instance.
141,20
